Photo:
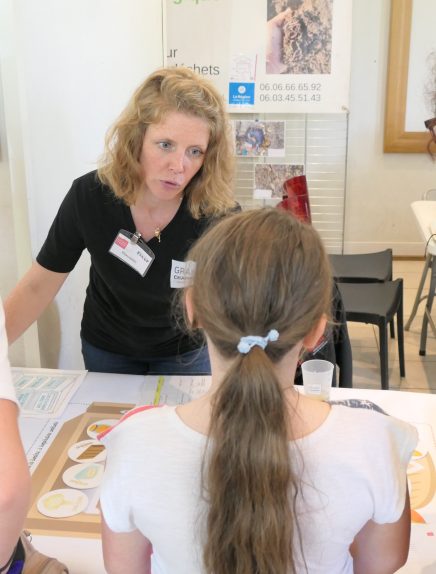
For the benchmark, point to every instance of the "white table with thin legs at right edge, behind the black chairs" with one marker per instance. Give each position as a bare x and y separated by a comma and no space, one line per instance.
425,213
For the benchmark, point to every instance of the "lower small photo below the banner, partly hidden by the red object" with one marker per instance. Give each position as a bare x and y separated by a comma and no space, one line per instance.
269,179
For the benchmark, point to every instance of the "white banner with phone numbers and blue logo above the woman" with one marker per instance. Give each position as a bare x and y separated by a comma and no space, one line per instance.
266,56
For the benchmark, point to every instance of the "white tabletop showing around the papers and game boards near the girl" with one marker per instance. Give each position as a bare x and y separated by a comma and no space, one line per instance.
83,555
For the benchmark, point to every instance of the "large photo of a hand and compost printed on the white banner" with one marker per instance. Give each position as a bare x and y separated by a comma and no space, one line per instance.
299,36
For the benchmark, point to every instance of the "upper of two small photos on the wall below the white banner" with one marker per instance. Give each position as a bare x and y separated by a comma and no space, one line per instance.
255,138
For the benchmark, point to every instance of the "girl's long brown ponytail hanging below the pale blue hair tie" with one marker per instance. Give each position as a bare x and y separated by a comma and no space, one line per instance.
249,481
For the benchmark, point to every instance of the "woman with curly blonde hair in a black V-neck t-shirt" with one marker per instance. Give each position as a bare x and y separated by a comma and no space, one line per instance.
165,174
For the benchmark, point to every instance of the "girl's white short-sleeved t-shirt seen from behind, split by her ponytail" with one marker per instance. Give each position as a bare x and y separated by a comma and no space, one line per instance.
352,469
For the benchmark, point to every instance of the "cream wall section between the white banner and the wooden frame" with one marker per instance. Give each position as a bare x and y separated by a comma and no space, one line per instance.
380,187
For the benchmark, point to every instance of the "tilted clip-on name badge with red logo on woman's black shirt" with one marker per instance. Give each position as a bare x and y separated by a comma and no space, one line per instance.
132,250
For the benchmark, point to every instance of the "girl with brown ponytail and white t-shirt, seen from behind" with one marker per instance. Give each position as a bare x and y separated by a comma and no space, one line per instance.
254,477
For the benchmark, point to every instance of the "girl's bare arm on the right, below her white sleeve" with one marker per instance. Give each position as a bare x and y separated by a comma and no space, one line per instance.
382,548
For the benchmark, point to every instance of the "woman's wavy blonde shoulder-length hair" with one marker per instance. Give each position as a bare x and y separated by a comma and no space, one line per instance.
168,90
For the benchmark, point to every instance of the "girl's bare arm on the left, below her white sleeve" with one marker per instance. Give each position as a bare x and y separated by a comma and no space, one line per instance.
125,551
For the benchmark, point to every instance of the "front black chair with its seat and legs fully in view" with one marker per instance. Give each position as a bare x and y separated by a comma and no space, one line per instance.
377,304
